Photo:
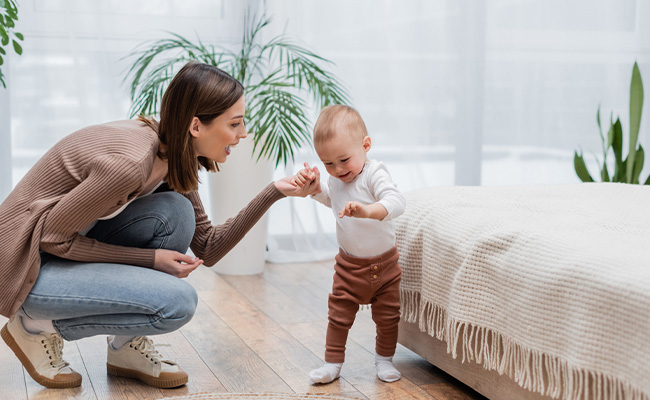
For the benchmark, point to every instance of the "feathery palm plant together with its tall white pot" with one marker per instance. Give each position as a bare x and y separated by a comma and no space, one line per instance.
280,77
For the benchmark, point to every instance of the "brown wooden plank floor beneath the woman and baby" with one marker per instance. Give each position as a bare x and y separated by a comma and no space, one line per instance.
260,333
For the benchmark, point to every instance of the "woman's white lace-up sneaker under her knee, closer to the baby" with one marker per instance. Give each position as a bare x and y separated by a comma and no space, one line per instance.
139,359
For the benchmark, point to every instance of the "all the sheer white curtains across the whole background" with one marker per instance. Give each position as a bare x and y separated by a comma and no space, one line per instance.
465,92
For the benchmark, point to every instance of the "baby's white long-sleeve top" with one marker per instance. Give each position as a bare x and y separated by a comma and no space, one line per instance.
364,237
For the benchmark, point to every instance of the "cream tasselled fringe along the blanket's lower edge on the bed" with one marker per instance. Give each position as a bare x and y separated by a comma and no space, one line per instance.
532,370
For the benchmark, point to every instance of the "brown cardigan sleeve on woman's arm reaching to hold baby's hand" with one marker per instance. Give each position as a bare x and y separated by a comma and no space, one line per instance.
212,242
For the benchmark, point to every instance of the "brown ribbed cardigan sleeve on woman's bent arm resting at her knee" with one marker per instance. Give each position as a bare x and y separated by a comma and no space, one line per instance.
111,180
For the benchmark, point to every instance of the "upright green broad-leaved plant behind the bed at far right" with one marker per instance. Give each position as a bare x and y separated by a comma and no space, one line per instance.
628,169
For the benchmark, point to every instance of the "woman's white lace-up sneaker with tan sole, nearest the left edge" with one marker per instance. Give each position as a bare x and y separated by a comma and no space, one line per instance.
41,355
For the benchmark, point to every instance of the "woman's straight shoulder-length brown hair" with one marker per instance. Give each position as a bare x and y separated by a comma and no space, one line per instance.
198,90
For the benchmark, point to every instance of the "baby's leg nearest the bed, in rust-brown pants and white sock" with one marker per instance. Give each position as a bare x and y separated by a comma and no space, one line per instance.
386,314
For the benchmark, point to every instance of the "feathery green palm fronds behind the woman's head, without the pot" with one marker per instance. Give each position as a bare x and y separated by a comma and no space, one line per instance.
276,74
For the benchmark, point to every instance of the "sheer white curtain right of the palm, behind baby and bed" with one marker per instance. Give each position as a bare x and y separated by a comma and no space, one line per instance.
469,92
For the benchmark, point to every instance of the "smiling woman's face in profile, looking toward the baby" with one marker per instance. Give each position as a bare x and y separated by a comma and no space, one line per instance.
216,139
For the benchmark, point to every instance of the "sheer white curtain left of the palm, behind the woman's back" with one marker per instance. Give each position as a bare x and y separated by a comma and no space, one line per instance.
72,69
